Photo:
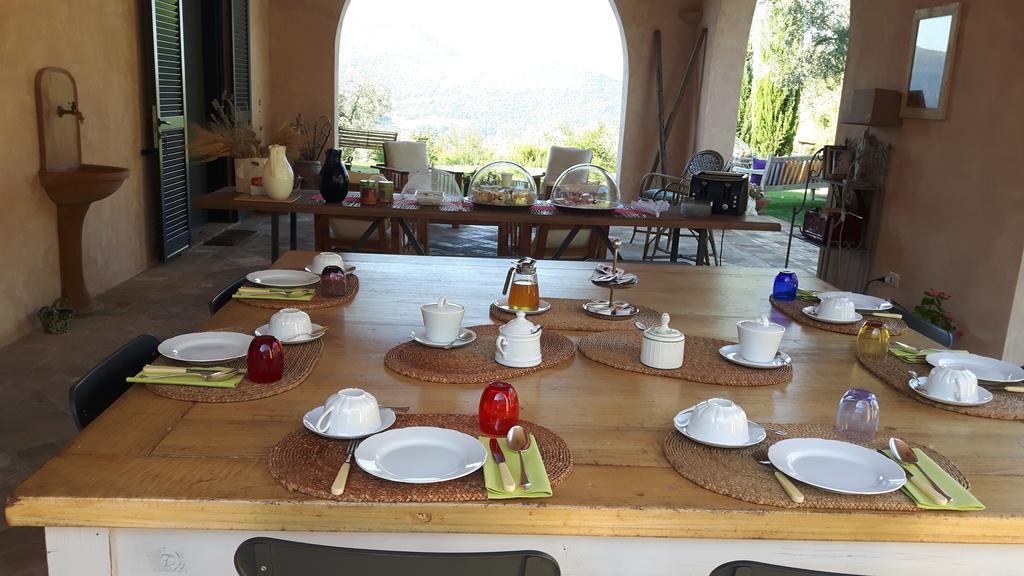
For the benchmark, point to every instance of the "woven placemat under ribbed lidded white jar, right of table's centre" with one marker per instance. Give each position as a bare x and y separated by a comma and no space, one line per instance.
702,362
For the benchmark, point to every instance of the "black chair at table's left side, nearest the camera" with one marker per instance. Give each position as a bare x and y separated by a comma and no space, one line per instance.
106,383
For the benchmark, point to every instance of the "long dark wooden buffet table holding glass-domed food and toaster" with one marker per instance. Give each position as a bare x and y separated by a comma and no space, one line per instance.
303,203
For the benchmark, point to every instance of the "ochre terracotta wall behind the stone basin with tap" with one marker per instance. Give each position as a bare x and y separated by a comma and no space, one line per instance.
99,43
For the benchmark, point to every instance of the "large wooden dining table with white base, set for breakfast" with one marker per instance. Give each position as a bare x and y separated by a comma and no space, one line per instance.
158,486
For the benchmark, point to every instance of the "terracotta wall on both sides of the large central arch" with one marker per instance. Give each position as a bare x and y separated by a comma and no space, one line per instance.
304,67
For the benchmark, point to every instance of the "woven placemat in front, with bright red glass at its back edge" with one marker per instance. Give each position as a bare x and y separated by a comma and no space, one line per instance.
309,464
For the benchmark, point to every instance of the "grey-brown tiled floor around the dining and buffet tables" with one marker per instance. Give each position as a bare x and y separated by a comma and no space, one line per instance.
36,372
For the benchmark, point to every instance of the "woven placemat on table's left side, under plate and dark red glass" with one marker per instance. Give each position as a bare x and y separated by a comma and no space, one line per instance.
300,362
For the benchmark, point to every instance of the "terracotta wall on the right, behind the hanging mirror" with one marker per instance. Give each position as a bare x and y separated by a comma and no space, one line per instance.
952,218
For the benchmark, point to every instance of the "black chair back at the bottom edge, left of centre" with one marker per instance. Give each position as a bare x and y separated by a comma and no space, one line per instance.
270,557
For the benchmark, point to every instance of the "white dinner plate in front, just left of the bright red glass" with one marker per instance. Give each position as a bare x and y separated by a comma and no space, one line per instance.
420,456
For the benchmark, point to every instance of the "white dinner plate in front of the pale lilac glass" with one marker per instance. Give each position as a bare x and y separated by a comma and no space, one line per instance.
837,467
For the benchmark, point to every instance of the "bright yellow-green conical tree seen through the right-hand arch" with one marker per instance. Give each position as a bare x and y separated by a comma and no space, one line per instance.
775,119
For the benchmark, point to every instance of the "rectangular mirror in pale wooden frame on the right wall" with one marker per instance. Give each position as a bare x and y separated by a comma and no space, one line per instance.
933,47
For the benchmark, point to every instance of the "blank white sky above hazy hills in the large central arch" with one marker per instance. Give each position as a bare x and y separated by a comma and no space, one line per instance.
517,34
